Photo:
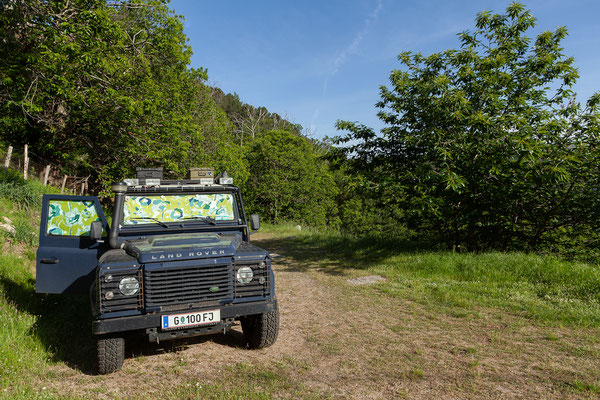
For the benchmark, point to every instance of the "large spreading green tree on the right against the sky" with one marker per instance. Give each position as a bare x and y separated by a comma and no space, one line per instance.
486,144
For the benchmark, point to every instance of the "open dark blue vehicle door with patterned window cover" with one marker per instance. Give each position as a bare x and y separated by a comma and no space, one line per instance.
67,256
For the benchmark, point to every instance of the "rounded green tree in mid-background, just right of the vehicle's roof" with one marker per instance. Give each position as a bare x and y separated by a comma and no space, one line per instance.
289,181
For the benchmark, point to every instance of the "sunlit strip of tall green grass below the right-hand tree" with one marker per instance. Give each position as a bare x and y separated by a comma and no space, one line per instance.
544,288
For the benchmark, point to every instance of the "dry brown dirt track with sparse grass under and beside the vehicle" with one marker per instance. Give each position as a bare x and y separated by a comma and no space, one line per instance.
341,341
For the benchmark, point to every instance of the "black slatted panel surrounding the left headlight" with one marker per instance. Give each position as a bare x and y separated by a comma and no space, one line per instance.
118,302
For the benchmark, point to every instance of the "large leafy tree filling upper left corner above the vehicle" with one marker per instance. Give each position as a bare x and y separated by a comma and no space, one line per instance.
100,88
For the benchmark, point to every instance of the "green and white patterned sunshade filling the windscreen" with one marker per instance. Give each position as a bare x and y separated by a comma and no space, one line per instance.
175,207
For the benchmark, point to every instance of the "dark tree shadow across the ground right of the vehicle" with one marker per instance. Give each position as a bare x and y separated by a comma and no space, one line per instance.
333,254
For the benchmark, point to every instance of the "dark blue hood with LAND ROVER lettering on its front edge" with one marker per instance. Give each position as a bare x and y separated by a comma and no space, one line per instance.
185,246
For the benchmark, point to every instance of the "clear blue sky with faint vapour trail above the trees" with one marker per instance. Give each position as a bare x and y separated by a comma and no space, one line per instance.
319,61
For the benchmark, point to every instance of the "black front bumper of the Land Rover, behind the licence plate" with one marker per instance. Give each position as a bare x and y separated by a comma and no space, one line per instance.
122,324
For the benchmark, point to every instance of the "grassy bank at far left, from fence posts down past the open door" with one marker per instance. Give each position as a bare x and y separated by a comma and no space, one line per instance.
32,327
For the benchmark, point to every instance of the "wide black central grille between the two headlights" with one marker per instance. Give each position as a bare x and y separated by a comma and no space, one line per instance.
188,285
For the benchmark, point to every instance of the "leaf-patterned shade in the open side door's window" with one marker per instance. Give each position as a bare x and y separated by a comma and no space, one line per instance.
71,218
